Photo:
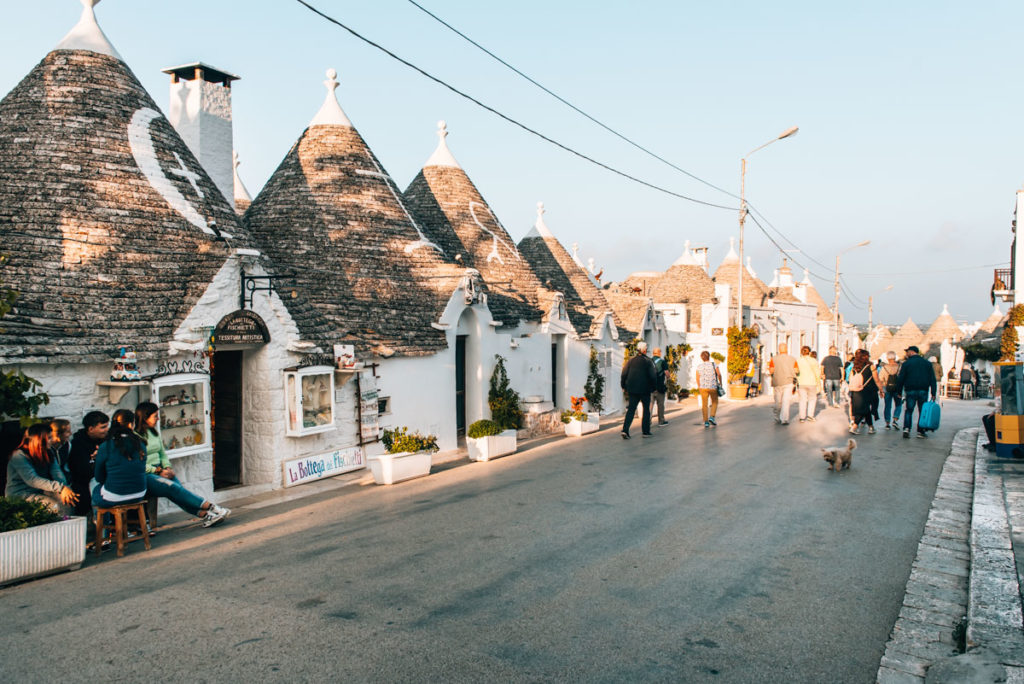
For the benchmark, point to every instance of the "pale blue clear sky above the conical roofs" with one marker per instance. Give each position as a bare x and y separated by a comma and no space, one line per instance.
910,130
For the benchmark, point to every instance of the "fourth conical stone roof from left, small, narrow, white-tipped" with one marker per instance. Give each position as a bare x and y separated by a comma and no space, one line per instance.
585,303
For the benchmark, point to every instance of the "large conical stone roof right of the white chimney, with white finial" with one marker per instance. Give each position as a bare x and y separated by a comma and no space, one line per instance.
331,216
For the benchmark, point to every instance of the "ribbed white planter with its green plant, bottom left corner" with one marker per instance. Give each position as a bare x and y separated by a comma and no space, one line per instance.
35,541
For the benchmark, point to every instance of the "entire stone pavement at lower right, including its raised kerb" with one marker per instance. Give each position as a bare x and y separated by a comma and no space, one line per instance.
962,618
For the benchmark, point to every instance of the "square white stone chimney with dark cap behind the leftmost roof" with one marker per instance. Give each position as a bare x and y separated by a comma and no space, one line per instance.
201,112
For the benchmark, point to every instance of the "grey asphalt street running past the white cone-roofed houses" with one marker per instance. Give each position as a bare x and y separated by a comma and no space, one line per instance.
723,555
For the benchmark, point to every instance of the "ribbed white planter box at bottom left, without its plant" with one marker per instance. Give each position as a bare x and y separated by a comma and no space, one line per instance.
42,550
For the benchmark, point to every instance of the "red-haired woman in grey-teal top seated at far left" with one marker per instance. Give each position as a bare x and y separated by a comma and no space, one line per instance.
33,475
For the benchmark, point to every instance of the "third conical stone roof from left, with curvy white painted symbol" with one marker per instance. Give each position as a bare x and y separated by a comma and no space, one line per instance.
455,216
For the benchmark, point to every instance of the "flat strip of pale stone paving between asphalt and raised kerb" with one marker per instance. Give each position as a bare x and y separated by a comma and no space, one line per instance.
936,595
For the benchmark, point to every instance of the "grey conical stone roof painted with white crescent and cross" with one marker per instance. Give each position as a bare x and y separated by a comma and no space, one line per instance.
113,229
